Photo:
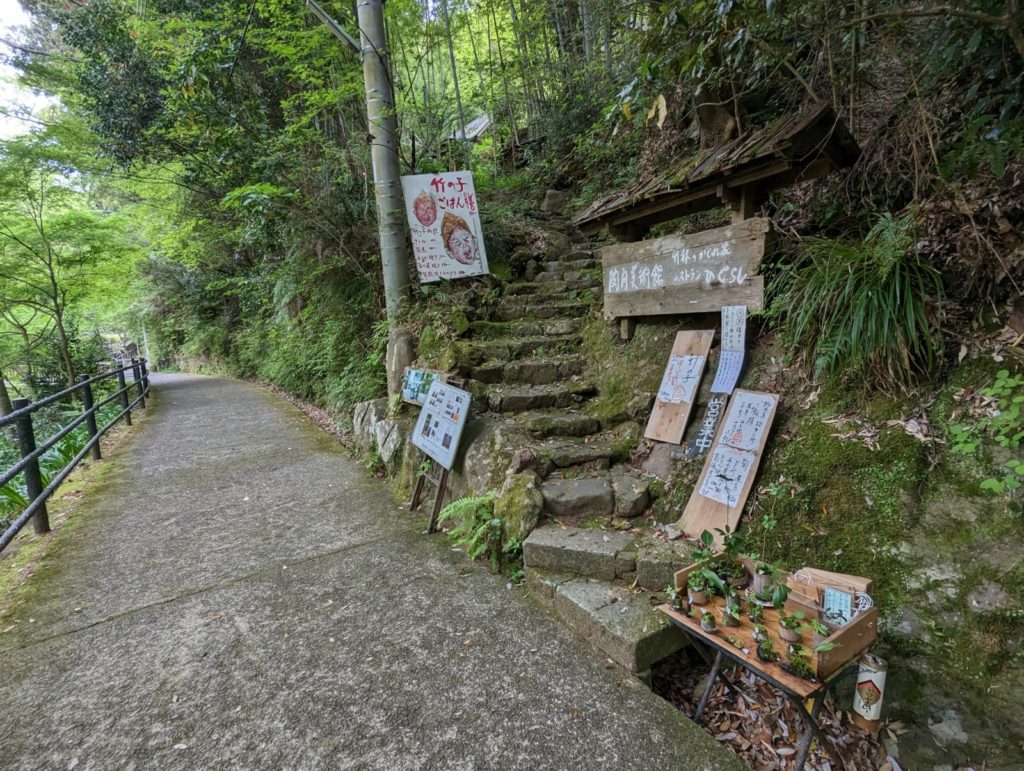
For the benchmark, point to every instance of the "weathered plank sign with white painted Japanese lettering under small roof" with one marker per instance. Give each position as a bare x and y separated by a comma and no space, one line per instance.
696,274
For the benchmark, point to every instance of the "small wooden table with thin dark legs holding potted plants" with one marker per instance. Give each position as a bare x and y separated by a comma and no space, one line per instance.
798,691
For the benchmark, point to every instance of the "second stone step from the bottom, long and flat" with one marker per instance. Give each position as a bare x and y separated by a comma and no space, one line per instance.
595,553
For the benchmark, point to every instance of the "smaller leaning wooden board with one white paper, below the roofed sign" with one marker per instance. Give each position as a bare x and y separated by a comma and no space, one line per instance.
679,387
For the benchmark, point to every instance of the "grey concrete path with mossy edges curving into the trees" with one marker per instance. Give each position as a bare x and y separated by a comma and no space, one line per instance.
238,593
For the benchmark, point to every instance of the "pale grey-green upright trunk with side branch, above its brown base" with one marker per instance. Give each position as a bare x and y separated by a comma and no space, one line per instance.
383,122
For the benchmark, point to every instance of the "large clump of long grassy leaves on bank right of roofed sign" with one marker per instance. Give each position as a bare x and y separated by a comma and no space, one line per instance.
863,311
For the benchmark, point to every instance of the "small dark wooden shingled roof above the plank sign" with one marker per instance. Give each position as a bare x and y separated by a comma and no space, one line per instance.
741,174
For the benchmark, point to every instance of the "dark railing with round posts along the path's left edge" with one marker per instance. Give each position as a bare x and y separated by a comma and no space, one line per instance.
21,419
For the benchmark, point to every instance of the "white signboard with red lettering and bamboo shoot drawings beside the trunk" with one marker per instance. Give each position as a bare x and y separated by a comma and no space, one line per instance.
445,224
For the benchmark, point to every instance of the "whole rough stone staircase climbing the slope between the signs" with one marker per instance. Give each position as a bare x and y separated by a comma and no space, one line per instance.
523,360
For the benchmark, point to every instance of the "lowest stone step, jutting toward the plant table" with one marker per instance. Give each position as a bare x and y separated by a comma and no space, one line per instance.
620,624
